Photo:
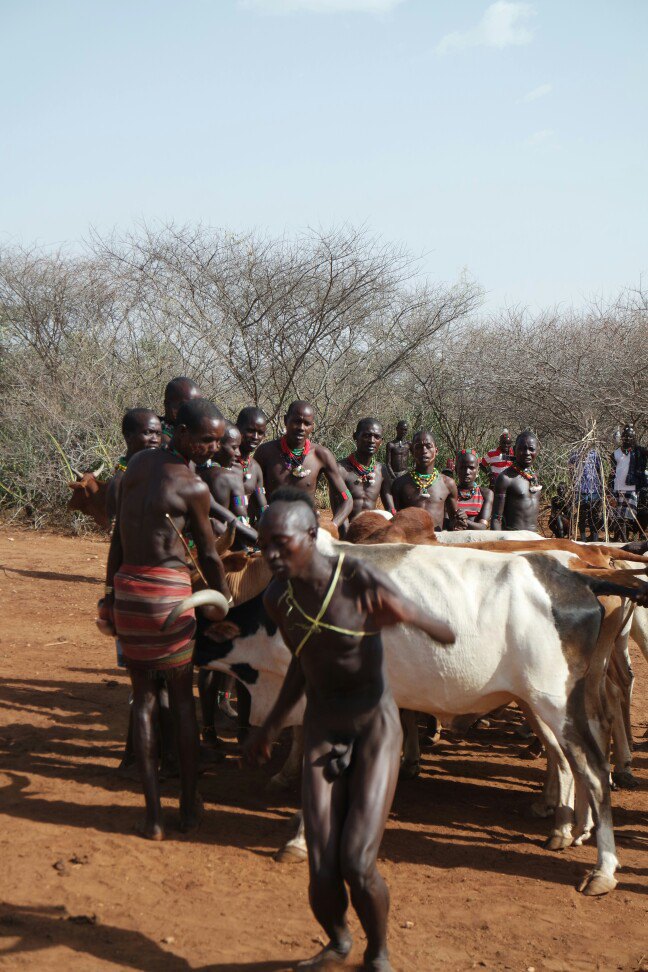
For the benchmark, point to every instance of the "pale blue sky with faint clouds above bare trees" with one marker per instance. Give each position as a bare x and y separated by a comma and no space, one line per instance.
505,139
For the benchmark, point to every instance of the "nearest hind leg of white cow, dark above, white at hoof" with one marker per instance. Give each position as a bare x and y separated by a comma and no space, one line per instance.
574,734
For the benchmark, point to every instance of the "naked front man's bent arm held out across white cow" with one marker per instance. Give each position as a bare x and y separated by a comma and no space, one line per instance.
386,605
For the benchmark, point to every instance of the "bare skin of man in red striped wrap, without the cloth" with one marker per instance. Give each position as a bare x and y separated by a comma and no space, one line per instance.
160,482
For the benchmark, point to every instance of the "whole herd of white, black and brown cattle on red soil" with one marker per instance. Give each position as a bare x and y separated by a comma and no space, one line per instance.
541,623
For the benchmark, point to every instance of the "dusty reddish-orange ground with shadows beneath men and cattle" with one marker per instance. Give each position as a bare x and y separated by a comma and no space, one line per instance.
471,885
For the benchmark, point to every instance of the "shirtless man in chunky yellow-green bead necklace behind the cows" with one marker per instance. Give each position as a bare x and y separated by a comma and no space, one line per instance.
426,488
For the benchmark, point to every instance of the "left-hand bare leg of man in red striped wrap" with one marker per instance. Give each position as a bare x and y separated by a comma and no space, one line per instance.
144,709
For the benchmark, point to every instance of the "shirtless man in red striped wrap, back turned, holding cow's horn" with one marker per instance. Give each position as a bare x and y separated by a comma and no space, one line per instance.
146,576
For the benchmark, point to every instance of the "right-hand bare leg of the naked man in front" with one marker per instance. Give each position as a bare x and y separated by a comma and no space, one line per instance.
372,782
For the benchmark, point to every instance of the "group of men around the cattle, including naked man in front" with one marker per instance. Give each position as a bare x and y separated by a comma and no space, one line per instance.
189,476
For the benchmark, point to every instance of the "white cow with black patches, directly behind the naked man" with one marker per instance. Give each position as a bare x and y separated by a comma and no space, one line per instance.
527,629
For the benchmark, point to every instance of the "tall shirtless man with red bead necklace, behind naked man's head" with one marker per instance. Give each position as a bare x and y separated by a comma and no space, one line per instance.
293,460
